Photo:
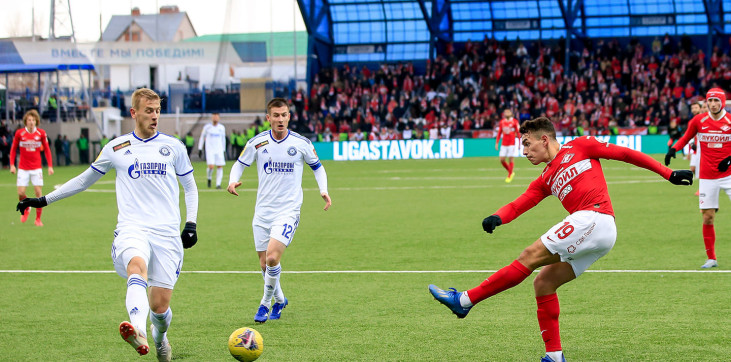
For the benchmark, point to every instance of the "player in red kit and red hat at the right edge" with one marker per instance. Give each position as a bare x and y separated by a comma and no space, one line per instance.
712,132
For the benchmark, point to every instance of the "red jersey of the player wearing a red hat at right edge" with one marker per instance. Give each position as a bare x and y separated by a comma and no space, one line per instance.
714,140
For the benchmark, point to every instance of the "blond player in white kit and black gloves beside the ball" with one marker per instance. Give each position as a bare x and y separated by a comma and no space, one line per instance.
148,245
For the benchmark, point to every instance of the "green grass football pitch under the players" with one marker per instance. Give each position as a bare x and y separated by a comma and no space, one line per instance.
394,228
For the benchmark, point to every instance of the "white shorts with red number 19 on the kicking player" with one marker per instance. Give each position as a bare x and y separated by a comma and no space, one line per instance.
581,238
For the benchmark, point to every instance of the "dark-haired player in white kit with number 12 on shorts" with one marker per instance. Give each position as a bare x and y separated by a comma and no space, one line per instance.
280,156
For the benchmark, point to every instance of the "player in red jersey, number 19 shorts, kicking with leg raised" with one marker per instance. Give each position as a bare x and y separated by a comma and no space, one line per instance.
574,175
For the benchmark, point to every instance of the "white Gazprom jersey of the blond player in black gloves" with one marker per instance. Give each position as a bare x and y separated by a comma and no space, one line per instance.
147,184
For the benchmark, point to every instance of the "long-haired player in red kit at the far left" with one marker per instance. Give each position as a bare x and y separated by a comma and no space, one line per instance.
31,141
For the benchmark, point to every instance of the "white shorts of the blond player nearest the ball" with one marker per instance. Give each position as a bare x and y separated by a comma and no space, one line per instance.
163,255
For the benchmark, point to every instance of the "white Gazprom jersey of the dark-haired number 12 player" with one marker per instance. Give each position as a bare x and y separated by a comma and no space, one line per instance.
279,165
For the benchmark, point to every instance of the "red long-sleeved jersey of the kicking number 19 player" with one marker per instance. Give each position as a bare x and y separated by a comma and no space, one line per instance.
575,176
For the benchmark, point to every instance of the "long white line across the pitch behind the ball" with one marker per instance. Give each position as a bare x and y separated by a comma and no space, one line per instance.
351,271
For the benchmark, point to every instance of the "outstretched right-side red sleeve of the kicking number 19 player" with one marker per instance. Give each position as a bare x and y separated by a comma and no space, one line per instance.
597,149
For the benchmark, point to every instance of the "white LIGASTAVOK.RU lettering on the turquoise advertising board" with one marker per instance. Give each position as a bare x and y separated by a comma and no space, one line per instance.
398,150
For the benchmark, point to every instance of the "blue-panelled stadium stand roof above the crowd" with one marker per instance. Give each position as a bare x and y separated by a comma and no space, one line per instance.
347,31
